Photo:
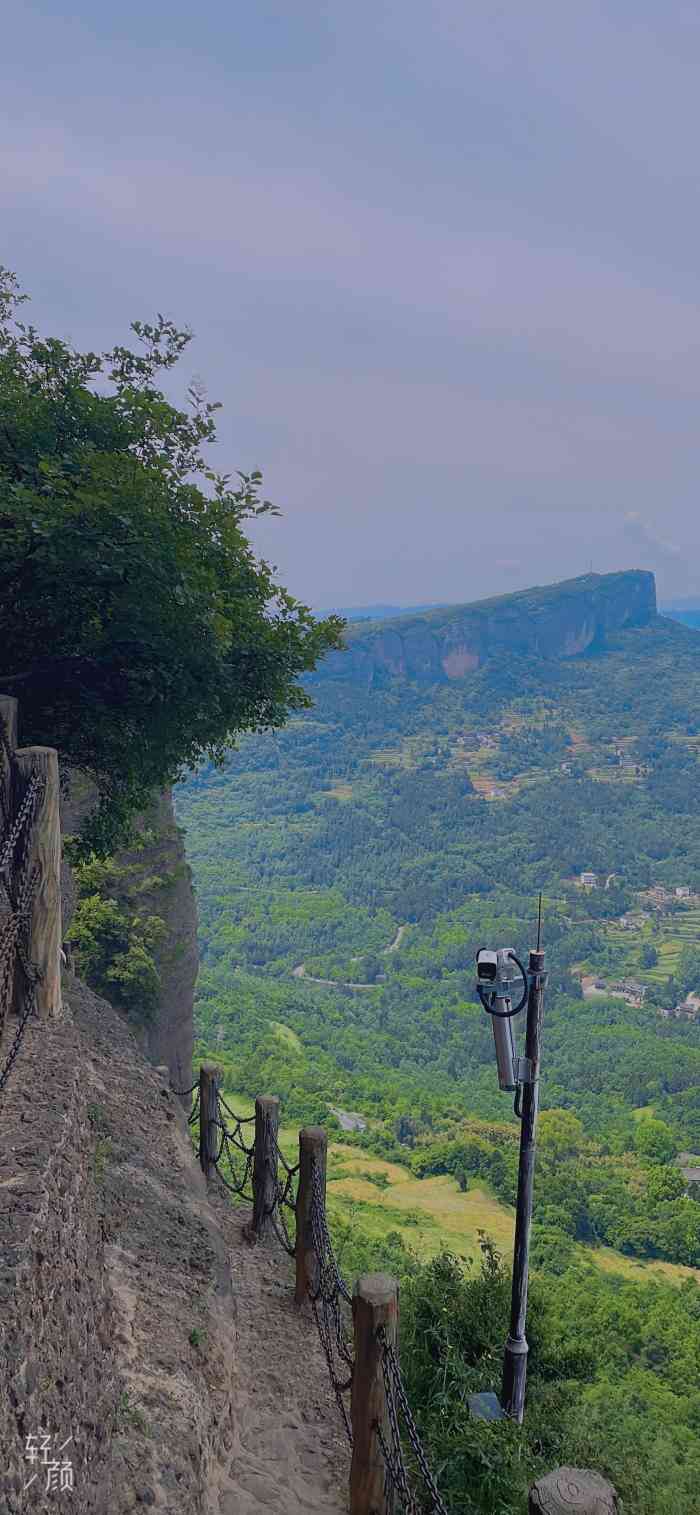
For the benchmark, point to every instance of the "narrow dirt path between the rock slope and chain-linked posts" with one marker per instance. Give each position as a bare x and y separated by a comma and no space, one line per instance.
289,1451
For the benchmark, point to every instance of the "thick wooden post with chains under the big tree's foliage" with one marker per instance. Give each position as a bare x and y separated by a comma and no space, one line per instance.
45,854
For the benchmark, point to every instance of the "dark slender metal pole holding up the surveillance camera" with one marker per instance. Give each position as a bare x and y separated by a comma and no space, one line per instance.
516,1355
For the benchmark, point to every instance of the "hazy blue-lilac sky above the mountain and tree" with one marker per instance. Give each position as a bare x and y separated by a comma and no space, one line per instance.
442,263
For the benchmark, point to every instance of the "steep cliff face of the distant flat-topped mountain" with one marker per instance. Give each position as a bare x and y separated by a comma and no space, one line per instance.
561,620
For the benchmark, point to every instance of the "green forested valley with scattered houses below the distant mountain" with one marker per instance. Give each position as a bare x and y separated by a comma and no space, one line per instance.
348,869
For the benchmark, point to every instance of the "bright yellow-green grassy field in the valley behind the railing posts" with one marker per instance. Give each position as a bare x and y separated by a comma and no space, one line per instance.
433,1214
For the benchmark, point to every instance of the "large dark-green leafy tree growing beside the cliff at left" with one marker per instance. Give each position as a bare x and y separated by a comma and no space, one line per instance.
137,625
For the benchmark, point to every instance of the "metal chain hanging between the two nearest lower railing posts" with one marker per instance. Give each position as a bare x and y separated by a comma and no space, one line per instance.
331,1302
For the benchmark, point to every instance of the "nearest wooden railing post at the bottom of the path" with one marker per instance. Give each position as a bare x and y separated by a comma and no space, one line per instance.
375,1305
